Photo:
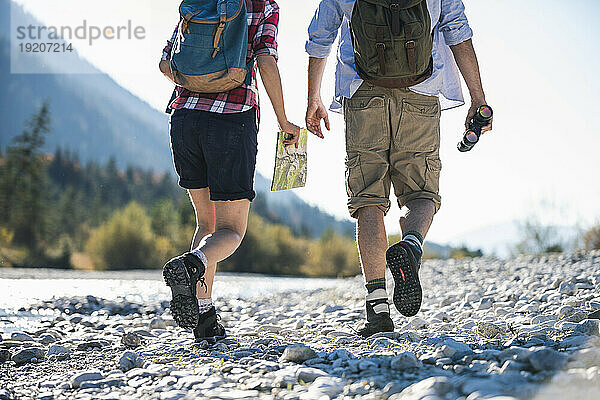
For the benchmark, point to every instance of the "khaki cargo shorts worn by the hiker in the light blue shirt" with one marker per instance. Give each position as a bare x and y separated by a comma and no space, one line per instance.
392,138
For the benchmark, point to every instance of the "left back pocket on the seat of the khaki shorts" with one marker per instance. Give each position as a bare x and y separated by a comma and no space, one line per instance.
366,123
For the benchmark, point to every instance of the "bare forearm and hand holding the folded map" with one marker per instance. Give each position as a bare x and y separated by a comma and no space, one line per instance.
269,73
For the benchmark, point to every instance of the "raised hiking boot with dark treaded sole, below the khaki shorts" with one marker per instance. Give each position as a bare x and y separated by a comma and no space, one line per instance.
404,265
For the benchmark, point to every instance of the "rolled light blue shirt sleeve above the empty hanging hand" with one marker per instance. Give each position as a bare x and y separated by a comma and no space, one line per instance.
323,28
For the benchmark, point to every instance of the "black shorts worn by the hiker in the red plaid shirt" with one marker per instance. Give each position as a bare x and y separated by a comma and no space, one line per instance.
215,151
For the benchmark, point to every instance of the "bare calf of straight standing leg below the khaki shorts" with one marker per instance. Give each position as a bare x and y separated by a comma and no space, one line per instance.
372,242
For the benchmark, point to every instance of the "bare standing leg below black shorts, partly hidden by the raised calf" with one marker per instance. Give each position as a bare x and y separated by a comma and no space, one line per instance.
205,225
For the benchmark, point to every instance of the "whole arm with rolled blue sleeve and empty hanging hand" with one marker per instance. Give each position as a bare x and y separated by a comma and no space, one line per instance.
322,32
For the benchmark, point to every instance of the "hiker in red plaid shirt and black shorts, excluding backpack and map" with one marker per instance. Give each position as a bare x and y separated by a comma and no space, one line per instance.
214,145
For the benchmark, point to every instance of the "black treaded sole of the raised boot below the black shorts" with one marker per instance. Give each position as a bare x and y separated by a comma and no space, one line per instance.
184,305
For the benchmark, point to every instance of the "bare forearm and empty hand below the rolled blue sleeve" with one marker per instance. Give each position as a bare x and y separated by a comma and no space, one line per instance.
316,110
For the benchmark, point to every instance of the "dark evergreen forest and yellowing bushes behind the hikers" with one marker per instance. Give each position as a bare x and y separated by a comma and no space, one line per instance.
56,211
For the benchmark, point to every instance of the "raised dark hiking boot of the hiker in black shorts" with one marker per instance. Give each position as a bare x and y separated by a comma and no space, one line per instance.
182,274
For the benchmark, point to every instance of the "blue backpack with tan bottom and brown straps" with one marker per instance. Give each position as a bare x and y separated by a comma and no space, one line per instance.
209,53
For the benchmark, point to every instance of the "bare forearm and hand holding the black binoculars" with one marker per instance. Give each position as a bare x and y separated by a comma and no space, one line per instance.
466,59
